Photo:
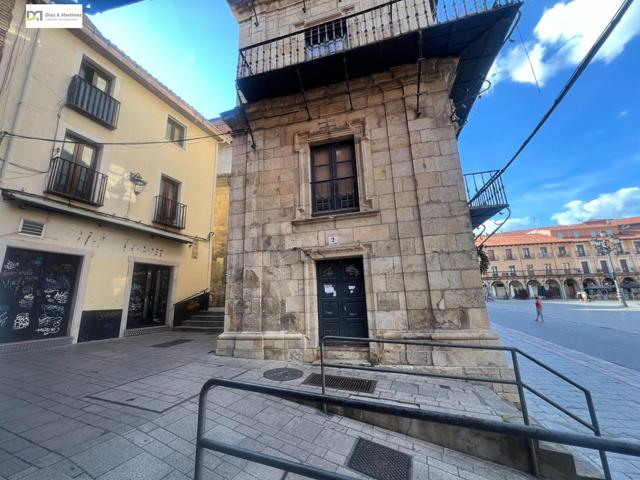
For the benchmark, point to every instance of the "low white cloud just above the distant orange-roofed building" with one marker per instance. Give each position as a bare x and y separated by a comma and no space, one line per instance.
621,203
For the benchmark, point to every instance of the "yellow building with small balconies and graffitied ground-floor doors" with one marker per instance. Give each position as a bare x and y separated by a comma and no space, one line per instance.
99,238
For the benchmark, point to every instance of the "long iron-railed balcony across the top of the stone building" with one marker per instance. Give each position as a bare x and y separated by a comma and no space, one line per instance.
375,39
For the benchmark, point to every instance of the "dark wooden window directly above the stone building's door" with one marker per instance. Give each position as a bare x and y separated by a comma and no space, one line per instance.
334,181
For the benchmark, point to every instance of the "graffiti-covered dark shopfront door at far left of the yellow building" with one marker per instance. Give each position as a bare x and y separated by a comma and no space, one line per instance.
36,294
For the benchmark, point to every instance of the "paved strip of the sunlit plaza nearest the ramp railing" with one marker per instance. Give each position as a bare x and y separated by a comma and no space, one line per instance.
615,390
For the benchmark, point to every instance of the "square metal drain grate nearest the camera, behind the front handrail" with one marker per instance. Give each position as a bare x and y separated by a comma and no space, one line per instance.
380,462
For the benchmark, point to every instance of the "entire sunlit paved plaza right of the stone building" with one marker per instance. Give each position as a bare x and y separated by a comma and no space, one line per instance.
600,328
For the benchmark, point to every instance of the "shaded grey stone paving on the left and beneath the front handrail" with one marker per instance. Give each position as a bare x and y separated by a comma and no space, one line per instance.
125,409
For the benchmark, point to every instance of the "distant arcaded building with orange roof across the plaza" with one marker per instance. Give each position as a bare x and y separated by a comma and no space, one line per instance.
561,262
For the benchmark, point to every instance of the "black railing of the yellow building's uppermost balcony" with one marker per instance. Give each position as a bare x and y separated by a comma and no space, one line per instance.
92,101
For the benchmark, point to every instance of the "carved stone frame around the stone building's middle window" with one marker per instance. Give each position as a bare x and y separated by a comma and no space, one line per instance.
303,141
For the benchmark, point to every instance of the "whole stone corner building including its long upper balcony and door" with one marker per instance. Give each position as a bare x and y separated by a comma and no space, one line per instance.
348,210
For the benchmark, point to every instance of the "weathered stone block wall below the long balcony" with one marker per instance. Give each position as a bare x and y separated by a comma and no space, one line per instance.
413,229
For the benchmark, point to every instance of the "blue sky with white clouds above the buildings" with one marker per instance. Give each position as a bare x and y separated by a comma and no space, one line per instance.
585,163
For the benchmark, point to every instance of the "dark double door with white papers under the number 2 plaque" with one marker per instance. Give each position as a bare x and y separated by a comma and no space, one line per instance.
342,306
